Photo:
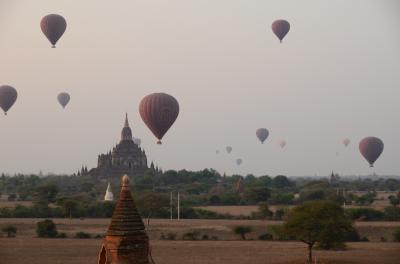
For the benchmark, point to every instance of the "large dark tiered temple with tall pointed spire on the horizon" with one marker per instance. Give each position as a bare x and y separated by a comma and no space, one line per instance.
125,158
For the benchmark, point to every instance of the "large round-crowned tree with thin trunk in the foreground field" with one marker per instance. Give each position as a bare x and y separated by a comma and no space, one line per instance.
324,222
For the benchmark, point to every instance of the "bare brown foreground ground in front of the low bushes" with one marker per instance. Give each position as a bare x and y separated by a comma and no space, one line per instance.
75,251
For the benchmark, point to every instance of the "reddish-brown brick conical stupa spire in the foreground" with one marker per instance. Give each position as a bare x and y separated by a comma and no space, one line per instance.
126,241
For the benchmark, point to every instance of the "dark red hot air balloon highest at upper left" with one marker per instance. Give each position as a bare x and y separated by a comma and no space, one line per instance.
53,27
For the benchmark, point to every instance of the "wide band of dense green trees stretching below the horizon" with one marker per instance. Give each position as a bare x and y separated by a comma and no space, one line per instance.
80,196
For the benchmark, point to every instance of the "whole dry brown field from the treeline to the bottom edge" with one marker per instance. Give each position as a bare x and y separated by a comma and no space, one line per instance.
25,248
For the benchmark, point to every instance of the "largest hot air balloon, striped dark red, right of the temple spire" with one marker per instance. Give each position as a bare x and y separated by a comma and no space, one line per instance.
159,111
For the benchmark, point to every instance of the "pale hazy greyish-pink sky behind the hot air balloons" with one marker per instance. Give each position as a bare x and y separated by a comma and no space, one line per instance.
336,75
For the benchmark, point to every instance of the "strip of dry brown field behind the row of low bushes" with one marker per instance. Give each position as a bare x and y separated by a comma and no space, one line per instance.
222,229
